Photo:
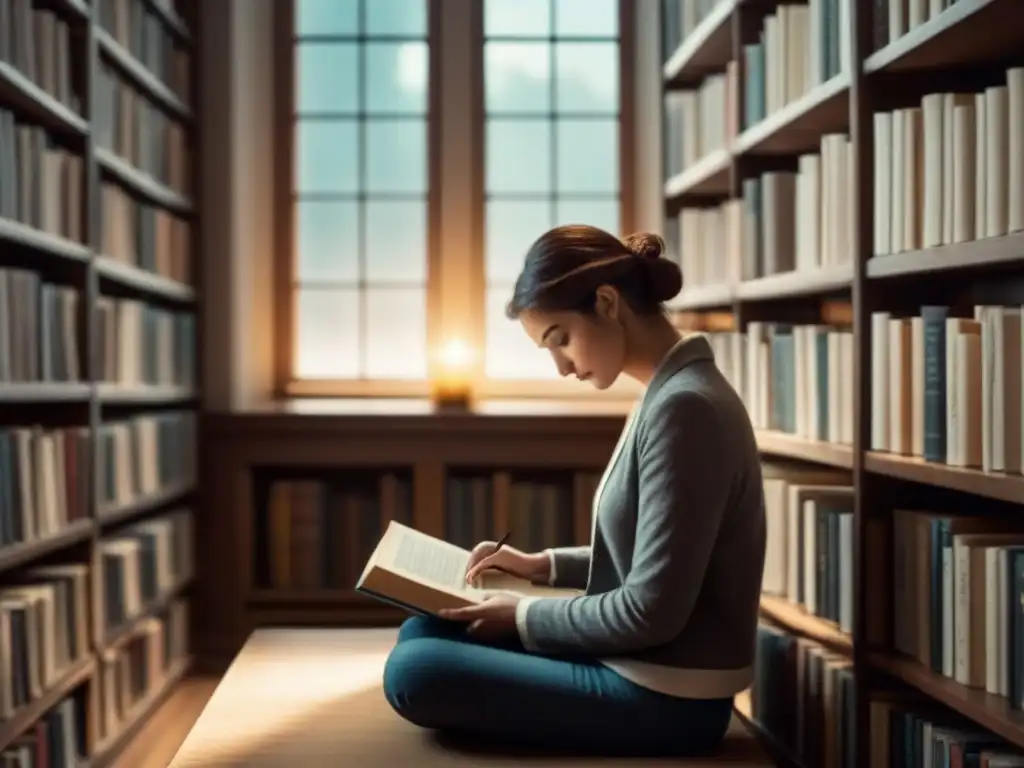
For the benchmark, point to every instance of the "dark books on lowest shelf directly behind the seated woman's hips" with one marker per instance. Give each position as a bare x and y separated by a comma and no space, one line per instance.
804,697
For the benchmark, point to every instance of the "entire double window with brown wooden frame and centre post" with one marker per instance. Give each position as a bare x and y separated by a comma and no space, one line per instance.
383,174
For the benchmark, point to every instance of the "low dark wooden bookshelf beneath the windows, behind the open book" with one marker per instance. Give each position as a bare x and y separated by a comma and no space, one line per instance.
295,475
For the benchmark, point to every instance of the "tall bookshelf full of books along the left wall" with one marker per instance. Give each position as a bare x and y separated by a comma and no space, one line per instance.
99,387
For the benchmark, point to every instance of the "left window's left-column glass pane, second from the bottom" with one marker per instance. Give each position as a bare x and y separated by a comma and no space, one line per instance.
328,239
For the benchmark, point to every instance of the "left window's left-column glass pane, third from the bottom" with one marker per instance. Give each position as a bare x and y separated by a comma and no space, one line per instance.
327,152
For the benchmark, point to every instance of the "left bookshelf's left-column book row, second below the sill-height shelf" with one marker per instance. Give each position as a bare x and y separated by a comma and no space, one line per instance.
45,629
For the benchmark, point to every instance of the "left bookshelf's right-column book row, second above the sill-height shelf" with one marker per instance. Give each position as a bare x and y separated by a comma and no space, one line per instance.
142,235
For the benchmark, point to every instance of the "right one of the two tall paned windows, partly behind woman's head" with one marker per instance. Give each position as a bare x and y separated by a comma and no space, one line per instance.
552,147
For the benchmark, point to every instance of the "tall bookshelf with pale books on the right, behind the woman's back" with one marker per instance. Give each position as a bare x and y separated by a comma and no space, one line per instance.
852,238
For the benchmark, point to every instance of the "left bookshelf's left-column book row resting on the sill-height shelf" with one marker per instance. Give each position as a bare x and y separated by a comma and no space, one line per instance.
38,329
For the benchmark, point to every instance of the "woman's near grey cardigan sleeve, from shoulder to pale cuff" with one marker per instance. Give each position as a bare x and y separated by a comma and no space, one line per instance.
686,482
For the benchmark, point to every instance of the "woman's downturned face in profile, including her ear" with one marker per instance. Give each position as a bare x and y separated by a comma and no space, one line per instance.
589,348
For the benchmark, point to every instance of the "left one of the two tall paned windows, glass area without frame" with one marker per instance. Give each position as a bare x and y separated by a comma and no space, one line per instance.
360,217
